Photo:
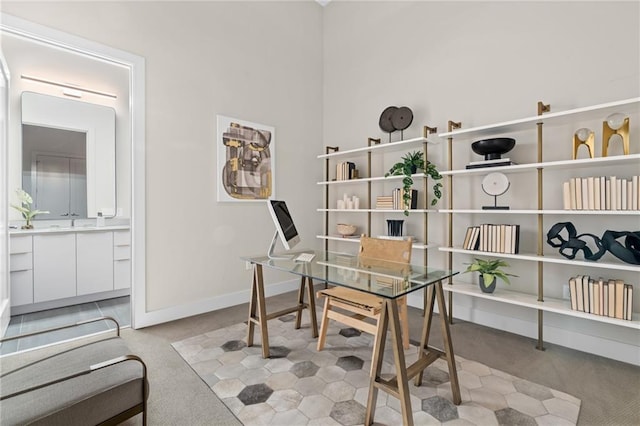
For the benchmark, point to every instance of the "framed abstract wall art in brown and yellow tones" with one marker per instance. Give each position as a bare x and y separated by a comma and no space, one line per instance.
245,160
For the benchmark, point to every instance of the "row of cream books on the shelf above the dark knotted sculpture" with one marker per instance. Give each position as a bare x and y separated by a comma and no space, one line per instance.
601,193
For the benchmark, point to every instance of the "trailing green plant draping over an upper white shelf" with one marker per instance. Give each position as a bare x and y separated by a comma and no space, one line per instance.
411,163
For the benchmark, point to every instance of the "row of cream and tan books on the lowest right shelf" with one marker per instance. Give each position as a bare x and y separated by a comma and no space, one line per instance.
609,298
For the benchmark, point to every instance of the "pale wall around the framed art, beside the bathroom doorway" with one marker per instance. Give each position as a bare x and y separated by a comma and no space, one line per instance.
260,62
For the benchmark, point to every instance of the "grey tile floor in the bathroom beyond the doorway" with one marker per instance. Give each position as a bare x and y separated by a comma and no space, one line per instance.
119,308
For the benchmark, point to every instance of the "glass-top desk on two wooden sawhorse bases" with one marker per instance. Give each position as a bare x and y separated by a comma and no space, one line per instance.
388,280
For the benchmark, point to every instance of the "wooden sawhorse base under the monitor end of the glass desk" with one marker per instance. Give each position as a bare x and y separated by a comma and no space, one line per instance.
258,311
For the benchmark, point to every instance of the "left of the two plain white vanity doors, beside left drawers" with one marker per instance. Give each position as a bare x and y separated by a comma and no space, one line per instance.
54,266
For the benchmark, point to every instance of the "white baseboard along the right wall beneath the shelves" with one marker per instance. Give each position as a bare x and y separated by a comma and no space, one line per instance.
602,339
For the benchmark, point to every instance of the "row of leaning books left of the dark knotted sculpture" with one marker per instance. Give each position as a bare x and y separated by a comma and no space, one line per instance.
502,238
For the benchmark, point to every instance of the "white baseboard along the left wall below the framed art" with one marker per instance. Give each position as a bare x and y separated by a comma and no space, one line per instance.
213,304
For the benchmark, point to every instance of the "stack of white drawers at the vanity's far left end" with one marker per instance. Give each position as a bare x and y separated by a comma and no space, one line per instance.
21,269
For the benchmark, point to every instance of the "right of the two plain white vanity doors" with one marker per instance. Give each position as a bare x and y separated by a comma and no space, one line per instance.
94,257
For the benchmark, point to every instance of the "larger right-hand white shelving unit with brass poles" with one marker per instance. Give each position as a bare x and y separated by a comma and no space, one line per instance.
537,300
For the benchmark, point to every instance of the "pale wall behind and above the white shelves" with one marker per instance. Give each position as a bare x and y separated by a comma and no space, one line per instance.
481,63
